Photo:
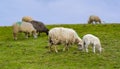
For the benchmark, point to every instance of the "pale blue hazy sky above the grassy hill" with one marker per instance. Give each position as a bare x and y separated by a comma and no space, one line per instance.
59,11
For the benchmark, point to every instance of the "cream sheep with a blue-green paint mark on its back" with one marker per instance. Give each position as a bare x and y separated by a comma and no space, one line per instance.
25,27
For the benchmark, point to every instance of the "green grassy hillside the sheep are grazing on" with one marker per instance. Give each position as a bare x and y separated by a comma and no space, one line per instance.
32,53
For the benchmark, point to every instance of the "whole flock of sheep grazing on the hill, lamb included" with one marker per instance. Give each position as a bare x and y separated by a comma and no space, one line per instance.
57,35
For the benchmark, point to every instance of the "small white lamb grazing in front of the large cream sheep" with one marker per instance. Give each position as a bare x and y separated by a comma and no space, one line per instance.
93,40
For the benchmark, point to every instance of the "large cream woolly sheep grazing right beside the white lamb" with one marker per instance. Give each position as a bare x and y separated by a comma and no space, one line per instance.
66,36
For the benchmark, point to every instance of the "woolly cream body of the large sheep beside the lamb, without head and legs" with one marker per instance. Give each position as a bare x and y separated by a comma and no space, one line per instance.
62,35
